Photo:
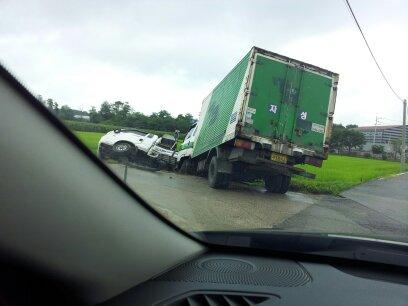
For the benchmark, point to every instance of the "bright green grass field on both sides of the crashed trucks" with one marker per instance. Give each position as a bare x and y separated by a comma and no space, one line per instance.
338,173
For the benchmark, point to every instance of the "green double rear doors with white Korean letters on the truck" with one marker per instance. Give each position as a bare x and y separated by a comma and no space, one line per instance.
288,103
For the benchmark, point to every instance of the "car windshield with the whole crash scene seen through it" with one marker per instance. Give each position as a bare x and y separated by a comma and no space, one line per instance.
273,116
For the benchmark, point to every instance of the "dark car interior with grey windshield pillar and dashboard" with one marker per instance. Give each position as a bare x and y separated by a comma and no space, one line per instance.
73,233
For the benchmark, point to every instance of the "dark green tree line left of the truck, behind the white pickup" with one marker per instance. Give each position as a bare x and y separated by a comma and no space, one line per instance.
121,114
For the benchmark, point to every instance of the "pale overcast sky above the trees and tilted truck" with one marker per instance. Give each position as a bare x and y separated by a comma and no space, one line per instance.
170,54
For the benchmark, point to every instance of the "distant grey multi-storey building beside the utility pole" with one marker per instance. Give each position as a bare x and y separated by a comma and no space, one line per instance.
381,135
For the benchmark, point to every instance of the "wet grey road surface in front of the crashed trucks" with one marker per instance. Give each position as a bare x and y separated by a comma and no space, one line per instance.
380,209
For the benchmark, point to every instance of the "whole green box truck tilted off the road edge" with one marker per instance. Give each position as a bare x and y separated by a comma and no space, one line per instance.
270,113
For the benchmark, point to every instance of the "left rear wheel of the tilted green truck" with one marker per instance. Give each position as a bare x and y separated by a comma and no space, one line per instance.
219,168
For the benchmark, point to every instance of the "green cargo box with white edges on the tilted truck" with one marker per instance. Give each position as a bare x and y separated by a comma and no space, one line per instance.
282,103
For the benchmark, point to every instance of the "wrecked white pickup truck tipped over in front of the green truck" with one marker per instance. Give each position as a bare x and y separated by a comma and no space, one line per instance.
138,146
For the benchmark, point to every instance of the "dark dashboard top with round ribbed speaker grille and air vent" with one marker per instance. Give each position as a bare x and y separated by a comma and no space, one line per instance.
227,279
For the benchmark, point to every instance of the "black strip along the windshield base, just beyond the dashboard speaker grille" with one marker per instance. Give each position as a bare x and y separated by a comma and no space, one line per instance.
333,245
